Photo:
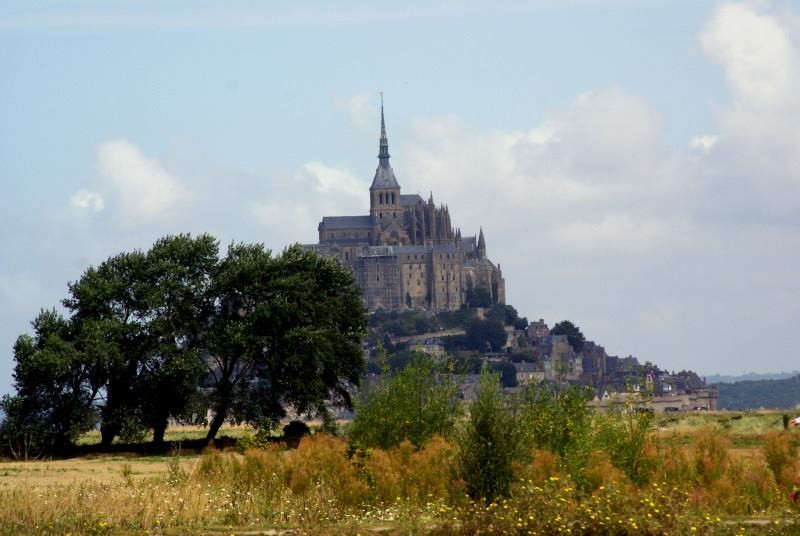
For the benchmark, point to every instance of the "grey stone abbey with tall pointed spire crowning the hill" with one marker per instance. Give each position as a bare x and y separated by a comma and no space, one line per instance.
405,253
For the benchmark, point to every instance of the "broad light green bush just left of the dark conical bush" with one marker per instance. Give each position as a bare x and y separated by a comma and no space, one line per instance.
416,403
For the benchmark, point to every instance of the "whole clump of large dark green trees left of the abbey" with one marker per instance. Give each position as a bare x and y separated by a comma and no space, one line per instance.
175,331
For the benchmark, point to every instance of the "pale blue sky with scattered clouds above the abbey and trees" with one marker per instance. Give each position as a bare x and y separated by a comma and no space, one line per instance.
635,165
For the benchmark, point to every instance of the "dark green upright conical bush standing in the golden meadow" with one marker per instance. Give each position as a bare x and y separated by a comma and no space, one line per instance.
490,442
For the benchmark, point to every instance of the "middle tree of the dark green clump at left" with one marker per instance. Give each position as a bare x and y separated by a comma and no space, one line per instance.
150,309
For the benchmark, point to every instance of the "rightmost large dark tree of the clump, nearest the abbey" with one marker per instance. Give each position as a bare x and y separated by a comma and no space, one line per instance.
285,331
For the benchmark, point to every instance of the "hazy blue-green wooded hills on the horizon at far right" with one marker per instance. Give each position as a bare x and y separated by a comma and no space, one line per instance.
780,394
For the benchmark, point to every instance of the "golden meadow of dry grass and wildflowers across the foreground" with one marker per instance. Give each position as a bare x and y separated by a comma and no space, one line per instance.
710,473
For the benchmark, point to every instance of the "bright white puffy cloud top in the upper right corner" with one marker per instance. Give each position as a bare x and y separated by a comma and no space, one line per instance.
755,51
